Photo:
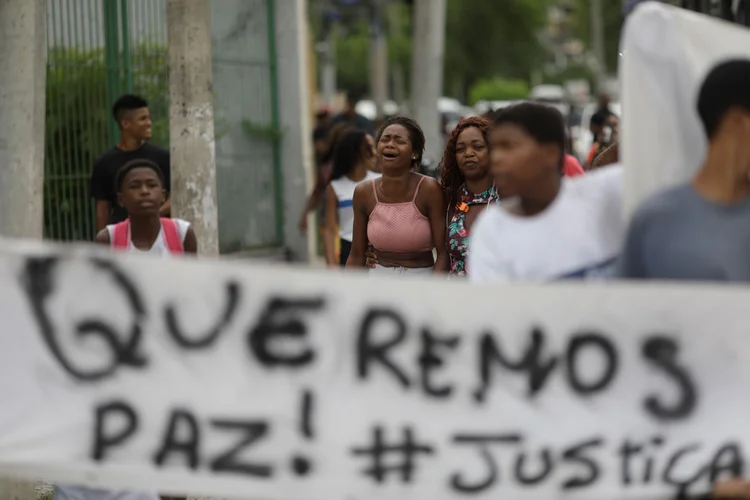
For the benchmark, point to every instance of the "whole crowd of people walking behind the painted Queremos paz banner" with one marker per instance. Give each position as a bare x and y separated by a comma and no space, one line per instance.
511,203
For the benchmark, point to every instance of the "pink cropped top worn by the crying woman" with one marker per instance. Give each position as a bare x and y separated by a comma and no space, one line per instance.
399,227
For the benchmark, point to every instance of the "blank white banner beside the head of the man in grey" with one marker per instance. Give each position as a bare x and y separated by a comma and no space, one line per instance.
667,52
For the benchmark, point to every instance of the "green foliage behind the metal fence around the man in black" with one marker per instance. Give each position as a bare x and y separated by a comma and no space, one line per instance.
77,127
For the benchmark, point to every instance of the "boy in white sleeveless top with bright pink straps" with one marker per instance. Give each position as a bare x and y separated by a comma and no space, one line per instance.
140,190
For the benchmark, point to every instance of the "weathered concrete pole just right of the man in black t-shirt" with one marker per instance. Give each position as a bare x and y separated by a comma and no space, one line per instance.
191,120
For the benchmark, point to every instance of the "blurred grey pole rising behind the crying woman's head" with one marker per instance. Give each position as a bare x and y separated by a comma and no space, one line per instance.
428,46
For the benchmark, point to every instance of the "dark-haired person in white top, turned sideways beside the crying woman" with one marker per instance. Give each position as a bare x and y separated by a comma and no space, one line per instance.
353,163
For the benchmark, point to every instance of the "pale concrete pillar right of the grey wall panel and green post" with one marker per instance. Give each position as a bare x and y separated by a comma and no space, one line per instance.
294,120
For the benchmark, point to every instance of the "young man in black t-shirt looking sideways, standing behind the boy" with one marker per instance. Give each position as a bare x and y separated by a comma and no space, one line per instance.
132,116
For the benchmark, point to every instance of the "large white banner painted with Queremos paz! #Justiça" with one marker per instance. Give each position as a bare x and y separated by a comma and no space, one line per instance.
246,381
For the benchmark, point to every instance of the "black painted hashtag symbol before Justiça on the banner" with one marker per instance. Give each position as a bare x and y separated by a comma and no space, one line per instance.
404,455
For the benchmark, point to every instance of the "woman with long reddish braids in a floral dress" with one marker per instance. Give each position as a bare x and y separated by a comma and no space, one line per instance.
468,186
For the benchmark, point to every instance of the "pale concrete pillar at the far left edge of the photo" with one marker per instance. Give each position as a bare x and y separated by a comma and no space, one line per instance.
23,59
